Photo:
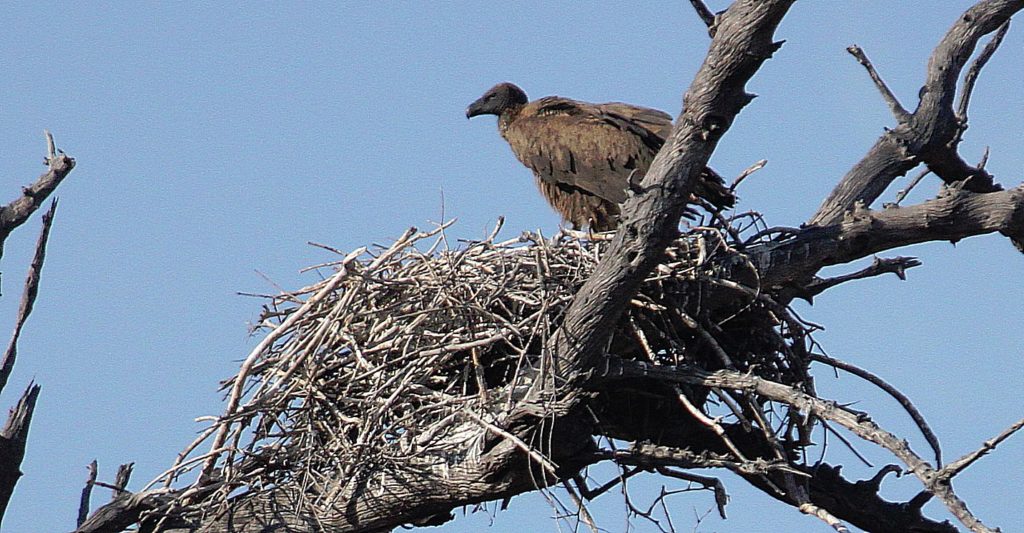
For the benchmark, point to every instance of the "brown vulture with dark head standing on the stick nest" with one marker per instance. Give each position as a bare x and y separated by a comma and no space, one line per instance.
583,155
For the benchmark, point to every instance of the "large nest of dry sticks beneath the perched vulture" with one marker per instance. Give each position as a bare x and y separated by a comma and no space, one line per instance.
381,365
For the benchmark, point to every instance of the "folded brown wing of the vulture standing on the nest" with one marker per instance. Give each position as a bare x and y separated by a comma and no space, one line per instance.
586,147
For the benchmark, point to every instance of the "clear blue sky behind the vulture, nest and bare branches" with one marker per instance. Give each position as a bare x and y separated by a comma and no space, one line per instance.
215,142
